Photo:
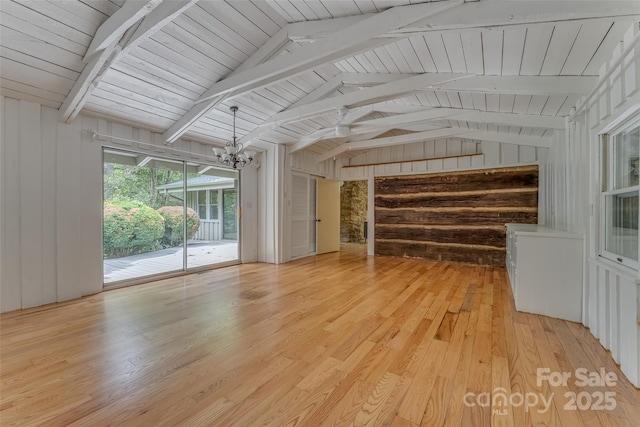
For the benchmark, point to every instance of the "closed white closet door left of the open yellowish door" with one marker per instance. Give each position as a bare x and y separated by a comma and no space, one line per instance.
303,215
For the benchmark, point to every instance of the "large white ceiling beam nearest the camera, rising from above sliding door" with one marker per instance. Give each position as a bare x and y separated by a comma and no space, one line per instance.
340,44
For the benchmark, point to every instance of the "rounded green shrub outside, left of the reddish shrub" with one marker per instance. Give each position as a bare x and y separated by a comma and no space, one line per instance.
131,228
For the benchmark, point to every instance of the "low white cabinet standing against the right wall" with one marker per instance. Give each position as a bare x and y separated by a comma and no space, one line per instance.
545,270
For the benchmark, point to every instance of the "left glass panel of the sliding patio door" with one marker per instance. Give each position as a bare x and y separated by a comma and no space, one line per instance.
141,230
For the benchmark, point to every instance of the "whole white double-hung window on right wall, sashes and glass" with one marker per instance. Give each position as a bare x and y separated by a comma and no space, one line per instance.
620,155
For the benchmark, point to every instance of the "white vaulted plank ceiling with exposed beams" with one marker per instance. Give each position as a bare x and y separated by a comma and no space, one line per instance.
390,71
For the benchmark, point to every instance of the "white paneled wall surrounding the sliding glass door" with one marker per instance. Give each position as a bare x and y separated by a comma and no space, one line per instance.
51,201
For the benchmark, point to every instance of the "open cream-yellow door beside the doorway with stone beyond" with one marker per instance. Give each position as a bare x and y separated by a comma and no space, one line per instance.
328,216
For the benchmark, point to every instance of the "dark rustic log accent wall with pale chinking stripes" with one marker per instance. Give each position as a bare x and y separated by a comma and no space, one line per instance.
455,216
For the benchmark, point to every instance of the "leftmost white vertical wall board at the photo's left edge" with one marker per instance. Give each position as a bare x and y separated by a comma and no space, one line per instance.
11,293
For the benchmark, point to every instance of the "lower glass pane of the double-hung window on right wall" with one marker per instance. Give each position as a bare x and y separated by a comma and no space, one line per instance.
622,224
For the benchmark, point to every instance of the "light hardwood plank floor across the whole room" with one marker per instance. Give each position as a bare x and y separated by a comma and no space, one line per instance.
337,339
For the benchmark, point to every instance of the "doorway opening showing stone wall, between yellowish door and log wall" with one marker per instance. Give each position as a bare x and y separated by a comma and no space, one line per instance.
353,216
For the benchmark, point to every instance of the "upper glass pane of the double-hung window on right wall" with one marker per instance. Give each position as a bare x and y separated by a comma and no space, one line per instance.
626,145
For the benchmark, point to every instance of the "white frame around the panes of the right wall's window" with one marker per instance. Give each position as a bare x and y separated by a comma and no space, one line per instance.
608,170
